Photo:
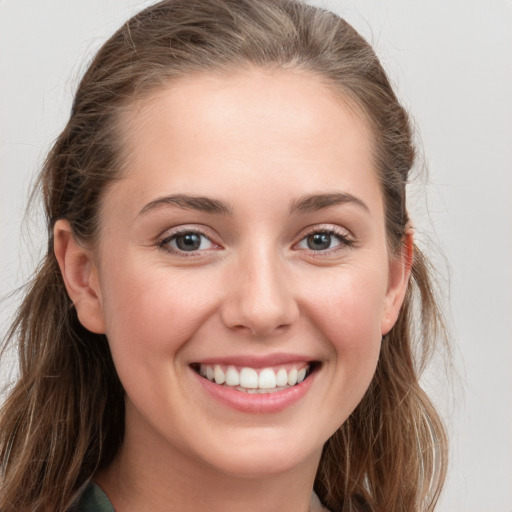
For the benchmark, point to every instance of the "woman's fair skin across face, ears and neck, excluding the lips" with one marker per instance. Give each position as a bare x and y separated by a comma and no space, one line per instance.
259,142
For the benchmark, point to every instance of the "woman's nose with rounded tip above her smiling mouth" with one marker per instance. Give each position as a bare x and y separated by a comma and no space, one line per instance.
260,298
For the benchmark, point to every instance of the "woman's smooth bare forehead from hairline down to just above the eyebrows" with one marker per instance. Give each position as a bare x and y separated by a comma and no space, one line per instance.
286,129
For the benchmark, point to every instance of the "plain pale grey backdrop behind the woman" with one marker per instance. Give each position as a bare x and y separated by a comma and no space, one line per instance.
451,63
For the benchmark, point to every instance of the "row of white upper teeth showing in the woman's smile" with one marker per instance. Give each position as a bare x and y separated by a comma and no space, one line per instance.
250,378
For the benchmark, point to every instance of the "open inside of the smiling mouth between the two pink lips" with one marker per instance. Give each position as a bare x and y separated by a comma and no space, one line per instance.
256,380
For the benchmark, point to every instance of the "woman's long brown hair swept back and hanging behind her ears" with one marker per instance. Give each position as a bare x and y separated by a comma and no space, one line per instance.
64,418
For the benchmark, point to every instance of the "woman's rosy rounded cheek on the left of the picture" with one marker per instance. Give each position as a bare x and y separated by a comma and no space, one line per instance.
152,313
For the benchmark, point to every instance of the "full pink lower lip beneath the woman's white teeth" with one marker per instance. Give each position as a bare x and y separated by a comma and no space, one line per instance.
256,403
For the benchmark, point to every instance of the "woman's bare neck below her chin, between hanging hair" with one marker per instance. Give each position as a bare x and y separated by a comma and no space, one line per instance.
154,476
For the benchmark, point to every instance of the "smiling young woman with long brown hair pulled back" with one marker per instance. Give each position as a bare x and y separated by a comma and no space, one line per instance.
224,315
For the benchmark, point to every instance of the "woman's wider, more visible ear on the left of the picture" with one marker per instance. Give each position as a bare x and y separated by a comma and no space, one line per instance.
80,277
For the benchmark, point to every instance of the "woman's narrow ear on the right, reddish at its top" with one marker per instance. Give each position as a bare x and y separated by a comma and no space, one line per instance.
400,267
